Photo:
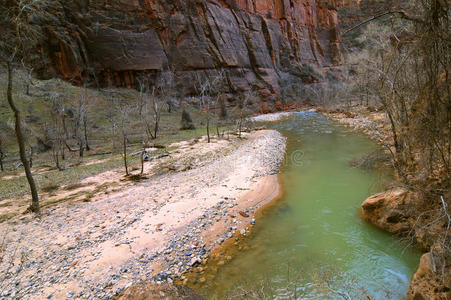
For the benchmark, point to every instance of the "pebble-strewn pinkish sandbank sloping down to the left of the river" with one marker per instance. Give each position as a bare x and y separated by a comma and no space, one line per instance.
154,229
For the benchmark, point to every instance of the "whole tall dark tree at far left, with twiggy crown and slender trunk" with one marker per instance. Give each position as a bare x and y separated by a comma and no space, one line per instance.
18,23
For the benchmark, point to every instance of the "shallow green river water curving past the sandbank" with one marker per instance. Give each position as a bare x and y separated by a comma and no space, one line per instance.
313,237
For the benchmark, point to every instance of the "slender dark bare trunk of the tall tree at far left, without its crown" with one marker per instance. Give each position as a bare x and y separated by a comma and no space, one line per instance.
20,140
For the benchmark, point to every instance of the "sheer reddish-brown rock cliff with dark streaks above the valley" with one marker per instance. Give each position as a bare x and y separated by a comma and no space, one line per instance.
256,42
